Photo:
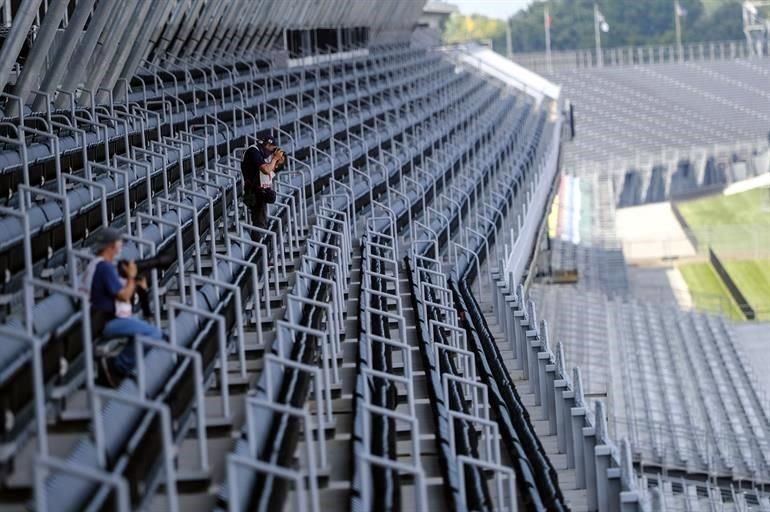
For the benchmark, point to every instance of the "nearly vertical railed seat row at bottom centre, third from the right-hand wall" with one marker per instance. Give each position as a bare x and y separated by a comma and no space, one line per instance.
384,399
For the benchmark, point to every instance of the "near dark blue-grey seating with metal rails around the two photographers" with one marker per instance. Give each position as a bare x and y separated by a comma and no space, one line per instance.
398,140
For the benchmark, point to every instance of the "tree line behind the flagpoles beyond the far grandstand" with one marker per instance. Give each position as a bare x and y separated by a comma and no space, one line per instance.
631,23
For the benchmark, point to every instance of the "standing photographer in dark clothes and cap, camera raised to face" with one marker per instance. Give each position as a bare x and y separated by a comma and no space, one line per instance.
259,165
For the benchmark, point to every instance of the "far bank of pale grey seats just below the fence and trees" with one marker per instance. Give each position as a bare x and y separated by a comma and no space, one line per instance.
625,110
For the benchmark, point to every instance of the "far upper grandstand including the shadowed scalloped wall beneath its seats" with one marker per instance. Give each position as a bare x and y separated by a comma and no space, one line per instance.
668,131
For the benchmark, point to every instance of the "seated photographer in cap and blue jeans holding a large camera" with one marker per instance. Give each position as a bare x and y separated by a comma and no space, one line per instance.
112,305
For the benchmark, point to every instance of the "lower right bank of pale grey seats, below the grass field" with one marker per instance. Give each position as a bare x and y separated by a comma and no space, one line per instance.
636,354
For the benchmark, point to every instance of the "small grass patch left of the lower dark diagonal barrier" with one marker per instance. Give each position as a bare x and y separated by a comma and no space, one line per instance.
707,291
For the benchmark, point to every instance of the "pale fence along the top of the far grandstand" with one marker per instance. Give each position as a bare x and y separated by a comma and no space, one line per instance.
633,55
